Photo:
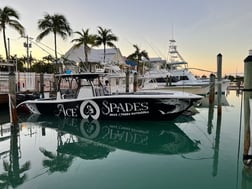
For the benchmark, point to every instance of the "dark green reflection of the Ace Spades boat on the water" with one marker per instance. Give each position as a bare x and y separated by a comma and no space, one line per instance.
96,139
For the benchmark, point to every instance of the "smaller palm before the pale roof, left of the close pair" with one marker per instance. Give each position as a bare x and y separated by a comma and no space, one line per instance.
85,39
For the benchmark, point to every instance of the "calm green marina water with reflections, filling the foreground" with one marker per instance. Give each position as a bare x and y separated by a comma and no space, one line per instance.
199,151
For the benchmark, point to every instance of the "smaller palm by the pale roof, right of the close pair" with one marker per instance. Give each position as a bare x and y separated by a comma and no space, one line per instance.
105,37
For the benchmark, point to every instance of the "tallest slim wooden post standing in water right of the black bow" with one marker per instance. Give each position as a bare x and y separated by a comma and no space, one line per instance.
219,78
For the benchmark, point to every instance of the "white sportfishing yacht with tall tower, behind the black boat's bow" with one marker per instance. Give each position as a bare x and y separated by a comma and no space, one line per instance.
178,77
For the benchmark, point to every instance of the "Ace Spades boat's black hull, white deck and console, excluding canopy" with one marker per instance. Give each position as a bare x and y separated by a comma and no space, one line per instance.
138,105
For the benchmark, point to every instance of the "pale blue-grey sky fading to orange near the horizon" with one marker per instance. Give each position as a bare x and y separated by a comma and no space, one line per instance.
201,28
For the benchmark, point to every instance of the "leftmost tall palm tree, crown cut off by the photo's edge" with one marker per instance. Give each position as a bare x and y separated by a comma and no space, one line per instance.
9,16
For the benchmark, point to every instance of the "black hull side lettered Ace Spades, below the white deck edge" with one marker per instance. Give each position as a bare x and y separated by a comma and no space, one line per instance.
112,108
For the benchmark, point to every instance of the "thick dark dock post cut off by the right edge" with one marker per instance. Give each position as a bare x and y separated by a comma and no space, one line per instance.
247,150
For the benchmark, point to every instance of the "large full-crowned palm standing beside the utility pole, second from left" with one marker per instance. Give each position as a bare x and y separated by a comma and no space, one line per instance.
57,24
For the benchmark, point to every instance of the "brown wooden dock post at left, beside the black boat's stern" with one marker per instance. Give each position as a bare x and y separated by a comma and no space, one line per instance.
12,99
